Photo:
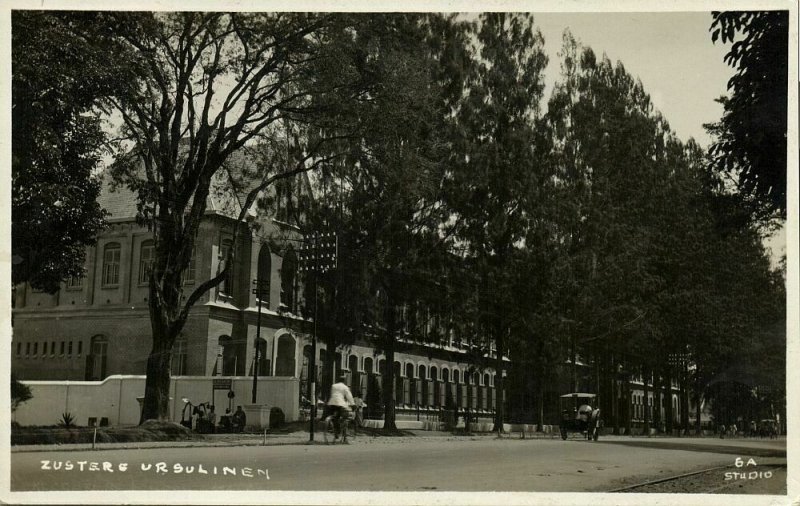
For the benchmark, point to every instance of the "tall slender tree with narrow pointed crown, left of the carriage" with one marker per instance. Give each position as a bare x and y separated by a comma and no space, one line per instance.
494,175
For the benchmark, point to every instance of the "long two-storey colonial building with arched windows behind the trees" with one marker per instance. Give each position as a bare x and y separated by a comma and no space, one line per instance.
98,325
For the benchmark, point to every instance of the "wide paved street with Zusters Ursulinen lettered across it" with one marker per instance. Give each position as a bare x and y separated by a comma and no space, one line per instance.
395,464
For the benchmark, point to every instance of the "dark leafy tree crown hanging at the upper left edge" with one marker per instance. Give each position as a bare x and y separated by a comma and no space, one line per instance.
58,75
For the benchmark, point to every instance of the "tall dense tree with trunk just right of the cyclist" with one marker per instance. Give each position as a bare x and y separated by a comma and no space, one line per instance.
383,197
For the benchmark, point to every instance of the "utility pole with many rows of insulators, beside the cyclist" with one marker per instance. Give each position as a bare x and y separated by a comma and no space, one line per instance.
318,254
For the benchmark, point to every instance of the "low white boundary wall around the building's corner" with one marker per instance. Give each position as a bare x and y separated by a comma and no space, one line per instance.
115,398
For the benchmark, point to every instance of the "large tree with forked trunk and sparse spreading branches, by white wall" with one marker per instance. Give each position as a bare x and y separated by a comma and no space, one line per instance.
213,84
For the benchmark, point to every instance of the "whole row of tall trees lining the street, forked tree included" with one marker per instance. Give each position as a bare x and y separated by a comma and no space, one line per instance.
536,231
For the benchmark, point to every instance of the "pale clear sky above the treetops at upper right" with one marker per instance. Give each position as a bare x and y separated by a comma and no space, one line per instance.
671,52
